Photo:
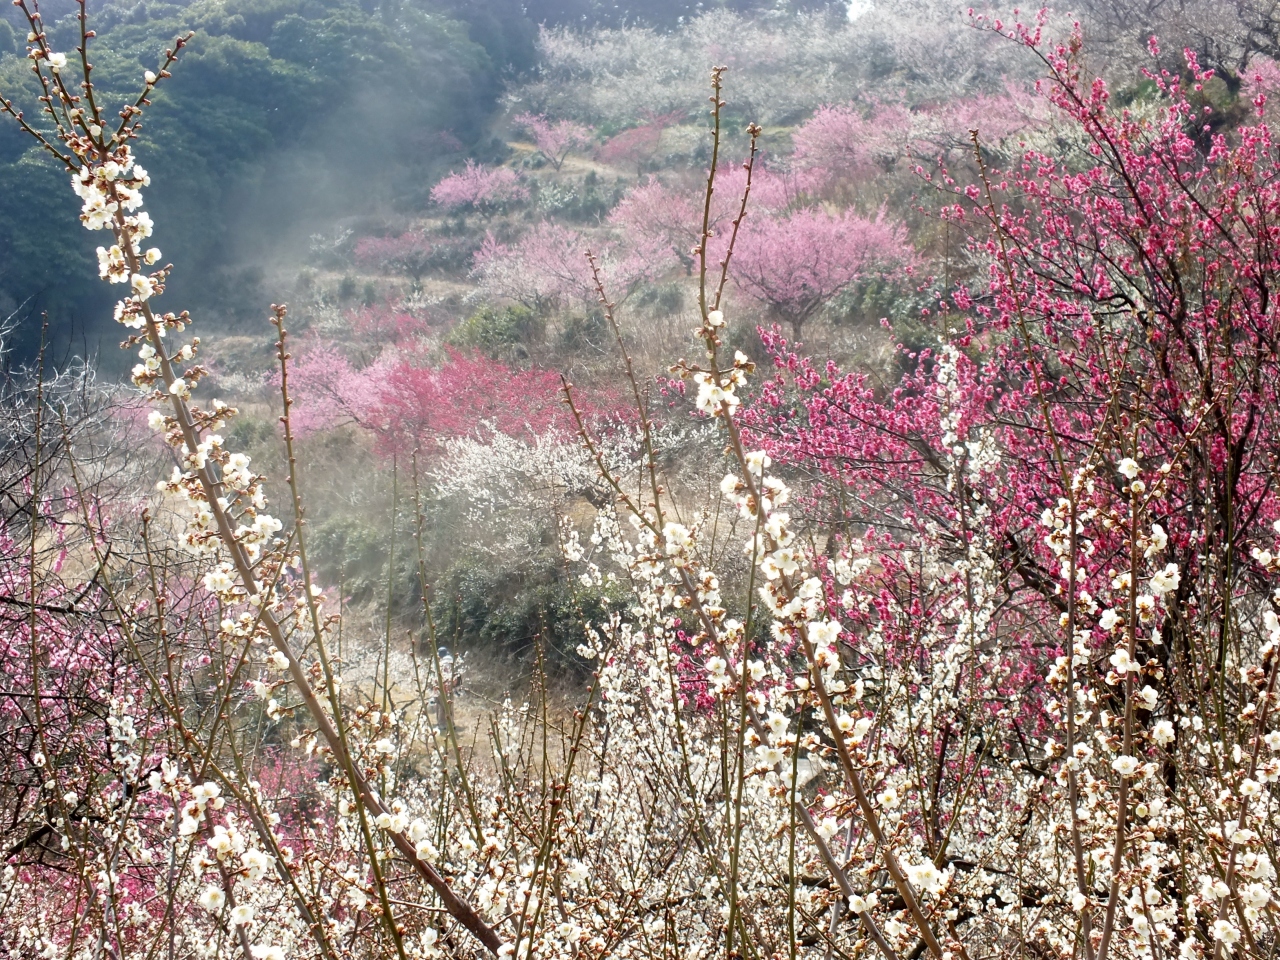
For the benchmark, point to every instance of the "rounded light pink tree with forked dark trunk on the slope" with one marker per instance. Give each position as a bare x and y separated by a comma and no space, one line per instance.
796,264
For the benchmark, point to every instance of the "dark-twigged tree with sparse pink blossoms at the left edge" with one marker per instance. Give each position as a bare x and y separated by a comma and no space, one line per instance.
68,678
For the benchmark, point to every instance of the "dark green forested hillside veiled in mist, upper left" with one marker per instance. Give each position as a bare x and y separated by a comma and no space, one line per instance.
286,118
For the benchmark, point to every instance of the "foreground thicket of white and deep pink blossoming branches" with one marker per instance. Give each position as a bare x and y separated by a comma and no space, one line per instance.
998,679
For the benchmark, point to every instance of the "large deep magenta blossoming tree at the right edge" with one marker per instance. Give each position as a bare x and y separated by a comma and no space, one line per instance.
1127,316
